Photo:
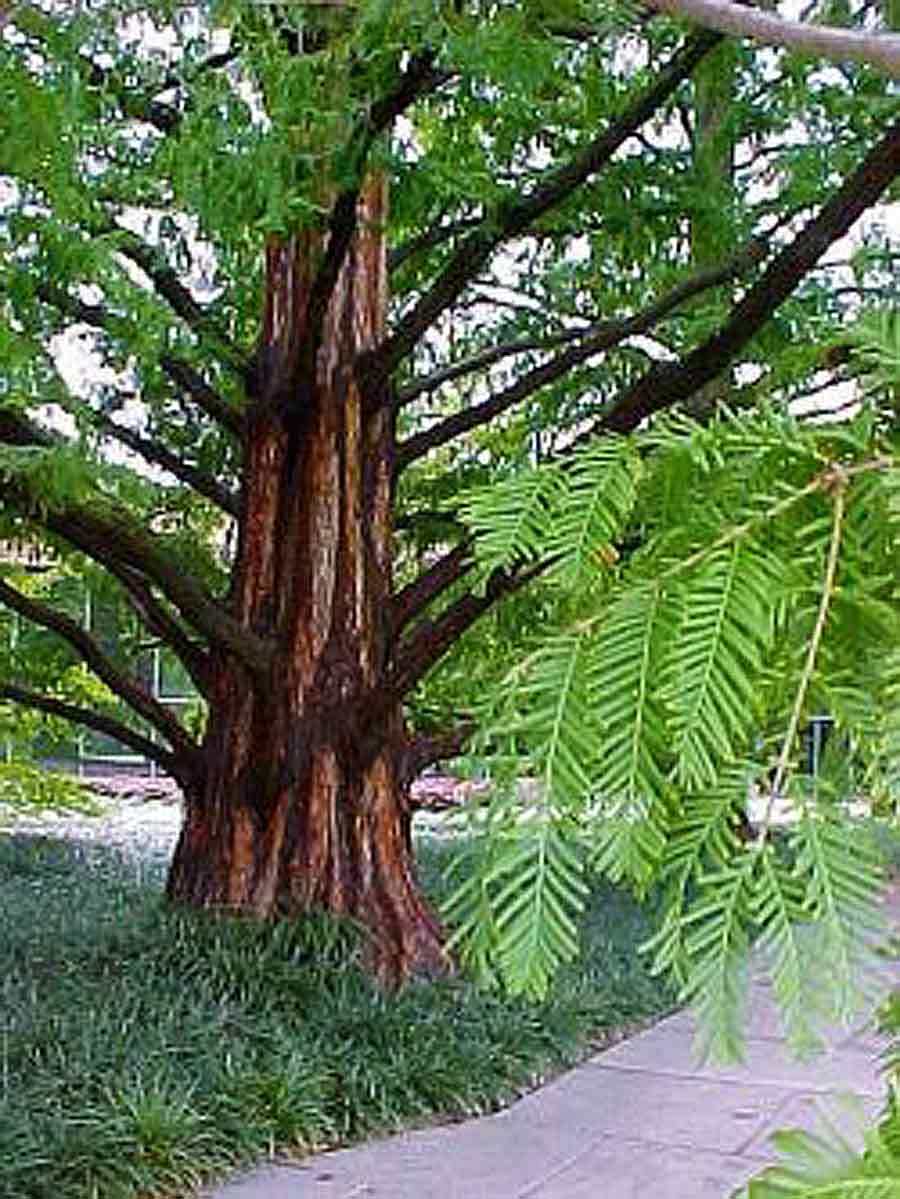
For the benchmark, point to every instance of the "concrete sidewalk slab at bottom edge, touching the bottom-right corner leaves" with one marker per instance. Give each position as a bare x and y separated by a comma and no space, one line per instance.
637,1170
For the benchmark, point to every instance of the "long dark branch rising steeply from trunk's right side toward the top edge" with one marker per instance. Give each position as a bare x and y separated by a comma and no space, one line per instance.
515,218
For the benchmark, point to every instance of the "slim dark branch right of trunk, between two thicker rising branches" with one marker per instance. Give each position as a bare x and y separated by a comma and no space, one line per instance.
596,340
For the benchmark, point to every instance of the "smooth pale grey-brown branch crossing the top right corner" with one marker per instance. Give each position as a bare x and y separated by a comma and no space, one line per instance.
881,51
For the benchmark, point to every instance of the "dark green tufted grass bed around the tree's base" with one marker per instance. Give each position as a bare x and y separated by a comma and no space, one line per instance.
144,1051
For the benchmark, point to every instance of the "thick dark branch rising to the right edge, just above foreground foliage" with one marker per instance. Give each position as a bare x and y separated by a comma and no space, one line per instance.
671,384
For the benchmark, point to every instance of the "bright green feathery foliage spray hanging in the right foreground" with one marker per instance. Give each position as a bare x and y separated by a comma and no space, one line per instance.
758,586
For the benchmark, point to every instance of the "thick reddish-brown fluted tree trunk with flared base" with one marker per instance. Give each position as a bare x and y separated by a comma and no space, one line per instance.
303,802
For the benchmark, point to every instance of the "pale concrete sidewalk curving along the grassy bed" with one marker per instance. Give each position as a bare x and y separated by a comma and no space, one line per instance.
637,1120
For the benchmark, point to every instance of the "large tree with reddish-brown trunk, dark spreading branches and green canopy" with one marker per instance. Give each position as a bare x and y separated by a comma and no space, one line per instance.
335,263
